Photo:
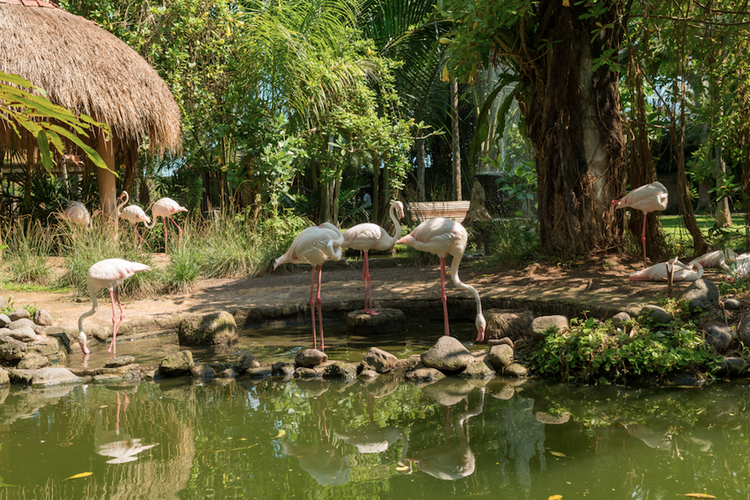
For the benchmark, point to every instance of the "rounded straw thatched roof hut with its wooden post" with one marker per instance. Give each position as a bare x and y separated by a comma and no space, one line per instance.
87,69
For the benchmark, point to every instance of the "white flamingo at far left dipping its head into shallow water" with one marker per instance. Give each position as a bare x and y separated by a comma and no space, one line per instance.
109,273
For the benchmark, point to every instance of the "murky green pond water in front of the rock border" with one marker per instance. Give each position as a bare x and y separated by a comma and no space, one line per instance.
228,438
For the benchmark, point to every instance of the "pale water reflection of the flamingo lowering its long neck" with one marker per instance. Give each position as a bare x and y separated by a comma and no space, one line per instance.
454,460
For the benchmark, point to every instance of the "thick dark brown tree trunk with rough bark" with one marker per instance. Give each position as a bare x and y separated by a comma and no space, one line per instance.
574,124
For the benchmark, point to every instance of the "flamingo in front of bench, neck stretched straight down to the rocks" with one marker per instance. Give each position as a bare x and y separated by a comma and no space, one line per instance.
443,236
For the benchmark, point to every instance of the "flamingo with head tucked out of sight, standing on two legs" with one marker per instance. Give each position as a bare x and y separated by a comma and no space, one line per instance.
314,246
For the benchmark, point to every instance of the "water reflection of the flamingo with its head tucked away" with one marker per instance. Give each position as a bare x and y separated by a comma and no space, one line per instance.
323,462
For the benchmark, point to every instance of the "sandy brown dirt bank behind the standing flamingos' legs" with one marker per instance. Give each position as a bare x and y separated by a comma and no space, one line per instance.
600,286
